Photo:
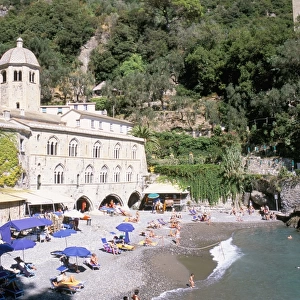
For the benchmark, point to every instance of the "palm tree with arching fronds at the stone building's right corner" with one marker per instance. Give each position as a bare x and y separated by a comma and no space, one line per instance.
151,141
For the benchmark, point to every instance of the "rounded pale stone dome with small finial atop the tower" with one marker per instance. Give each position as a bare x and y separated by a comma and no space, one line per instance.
19,56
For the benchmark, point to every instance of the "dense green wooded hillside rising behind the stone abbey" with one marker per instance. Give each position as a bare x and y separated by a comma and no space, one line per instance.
235,62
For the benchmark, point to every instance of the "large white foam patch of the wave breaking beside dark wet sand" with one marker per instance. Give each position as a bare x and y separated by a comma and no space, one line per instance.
225,254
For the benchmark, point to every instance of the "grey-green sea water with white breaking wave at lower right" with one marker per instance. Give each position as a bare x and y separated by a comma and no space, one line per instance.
255,263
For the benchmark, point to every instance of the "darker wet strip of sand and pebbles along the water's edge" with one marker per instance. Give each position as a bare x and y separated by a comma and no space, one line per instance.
169,267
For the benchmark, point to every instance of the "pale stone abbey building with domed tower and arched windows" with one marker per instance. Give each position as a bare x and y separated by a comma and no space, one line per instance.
70,154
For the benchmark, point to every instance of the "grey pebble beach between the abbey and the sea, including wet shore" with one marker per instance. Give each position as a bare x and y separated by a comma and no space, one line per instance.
151,269
